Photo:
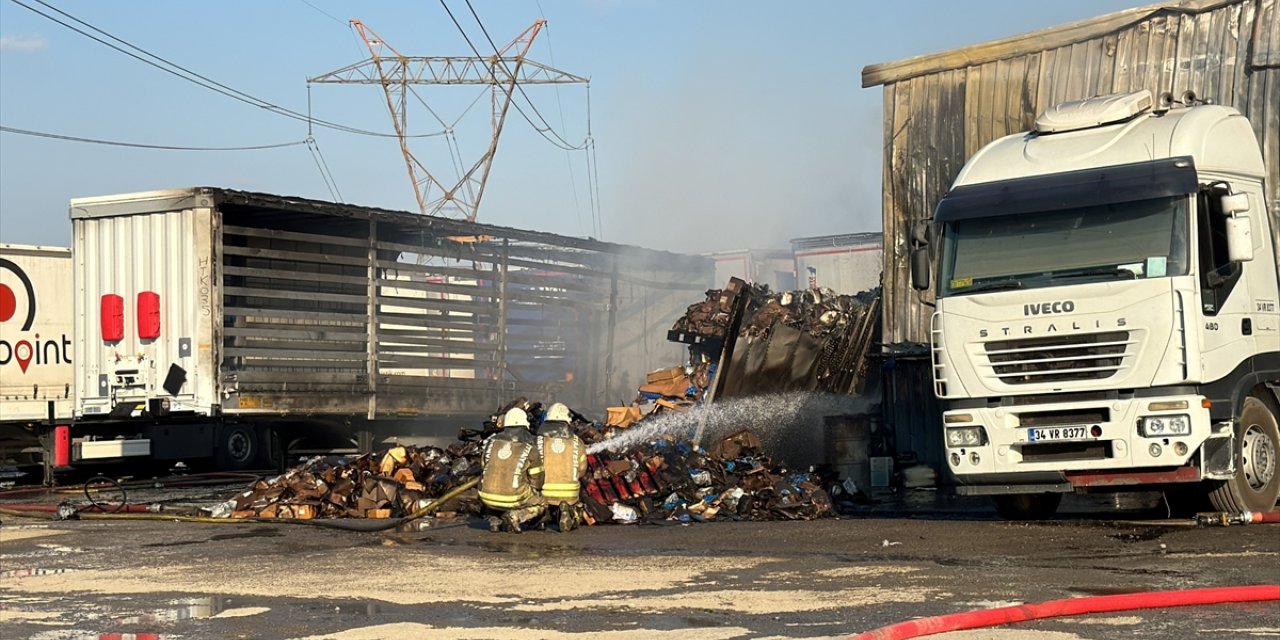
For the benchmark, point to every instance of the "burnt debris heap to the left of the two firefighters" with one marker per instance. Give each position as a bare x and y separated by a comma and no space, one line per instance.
390,484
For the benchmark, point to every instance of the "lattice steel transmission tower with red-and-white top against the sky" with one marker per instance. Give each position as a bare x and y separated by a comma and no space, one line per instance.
397,74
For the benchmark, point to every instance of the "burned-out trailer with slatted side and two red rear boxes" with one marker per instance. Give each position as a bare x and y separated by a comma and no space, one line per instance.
211,319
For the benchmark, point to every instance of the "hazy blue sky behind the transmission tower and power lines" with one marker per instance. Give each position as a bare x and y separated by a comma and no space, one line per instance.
719,125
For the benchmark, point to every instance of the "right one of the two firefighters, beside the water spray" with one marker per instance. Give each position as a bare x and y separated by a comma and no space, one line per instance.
564,464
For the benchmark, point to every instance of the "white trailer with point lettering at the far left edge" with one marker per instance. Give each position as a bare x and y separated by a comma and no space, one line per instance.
35,346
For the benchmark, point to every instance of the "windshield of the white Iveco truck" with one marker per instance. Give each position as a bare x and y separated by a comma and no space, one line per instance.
1145,239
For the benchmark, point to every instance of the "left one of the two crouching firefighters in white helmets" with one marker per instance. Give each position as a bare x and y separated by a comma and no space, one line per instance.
513,474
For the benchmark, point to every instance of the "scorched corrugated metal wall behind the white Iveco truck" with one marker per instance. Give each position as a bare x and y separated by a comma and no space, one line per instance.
936,116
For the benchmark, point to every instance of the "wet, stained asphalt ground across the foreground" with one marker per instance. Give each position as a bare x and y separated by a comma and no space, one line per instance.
922,555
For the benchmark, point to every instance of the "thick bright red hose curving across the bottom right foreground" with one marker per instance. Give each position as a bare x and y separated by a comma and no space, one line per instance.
1071,607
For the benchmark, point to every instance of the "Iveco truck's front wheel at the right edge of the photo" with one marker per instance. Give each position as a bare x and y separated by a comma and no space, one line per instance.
1256,484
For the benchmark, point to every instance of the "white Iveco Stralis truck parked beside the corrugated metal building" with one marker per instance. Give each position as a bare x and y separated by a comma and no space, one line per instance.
1108,309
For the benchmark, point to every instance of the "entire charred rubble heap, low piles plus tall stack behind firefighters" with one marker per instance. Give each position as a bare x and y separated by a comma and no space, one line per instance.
819,337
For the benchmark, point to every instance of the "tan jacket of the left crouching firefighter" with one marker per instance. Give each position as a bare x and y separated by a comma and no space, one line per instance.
511,470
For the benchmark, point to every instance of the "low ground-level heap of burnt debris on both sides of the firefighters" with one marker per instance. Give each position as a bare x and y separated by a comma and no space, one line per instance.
665,479
